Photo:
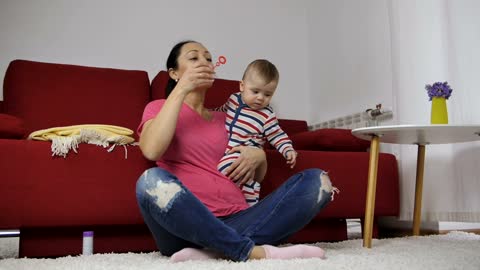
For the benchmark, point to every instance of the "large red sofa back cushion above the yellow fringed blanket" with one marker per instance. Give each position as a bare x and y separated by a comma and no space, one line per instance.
49,95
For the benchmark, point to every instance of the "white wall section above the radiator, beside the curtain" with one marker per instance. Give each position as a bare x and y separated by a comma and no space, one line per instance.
349,57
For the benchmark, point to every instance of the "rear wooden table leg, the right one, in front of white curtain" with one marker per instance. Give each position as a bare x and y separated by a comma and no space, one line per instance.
417,211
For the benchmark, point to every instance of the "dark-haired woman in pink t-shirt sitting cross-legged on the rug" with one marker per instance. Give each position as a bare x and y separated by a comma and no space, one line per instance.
195,212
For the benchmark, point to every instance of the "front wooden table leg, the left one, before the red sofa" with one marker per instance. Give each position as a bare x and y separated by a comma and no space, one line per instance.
372,185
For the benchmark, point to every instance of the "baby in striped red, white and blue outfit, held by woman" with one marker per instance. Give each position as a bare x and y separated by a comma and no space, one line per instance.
251,121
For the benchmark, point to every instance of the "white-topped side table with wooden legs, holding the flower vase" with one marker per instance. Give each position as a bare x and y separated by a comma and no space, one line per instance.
420,135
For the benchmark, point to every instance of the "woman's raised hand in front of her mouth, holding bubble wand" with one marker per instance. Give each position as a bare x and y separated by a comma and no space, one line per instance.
197,76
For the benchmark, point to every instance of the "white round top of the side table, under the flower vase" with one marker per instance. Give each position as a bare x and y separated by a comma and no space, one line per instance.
420,134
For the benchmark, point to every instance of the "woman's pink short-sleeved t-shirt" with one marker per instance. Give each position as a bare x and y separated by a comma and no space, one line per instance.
193,154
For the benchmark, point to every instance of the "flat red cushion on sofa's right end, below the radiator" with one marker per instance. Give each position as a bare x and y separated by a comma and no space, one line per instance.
329,139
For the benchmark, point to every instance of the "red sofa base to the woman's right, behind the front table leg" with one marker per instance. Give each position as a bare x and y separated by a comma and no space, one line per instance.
348,172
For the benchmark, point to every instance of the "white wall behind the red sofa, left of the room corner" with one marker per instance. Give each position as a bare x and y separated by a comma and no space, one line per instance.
139,35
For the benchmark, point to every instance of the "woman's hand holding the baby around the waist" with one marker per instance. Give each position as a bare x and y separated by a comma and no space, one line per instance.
246,165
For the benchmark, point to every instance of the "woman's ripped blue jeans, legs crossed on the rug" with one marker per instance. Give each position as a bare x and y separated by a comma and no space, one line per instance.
178,219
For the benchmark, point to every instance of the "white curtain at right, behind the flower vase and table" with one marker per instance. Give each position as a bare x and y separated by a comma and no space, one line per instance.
437,40
